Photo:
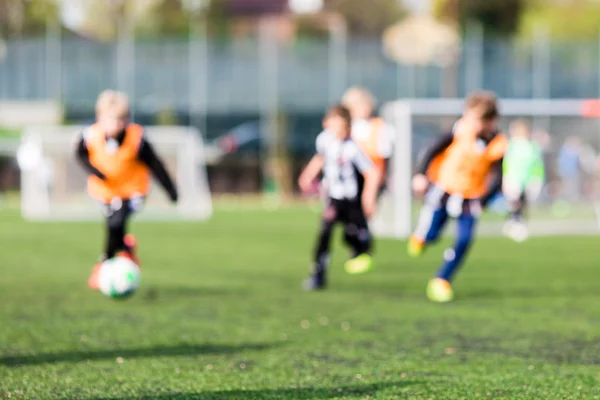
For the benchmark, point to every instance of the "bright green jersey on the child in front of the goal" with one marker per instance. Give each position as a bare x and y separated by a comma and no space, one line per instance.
523,162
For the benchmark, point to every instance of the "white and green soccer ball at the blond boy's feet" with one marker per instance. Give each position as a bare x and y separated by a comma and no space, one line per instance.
119,277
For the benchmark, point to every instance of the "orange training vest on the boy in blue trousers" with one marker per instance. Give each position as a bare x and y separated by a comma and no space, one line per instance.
463,168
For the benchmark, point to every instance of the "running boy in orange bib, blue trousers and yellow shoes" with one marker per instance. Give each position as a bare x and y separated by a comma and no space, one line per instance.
459,174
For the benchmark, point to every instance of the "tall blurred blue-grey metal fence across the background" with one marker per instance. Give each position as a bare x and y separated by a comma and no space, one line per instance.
225,76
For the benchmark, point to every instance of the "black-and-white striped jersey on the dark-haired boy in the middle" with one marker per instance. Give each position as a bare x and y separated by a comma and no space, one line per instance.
343,161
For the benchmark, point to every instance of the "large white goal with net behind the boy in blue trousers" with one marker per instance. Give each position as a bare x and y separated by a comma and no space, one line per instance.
567,130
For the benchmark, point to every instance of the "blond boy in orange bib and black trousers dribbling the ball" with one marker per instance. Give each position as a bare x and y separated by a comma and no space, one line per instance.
121,162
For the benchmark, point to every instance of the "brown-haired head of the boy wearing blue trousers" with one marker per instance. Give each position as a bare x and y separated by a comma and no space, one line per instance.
481,110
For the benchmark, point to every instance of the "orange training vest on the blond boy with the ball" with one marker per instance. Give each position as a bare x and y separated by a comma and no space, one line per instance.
126,176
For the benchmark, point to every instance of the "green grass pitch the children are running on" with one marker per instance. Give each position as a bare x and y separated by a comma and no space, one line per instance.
220,316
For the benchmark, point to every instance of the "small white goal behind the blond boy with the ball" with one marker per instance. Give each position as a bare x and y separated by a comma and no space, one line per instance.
53,183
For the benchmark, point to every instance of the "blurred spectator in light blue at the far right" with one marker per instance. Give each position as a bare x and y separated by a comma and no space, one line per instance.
569,168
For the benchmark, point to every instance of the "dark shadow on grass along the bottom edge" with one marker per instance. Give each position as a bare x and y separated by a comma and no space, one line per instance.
347,392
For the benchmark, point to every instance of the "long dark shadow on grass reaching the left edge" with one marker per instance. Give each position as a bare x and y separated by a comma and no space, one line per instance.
126,353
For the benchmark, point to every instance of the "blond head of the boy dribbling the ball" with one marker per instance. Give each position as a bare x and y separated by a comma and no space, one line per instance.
112,112
